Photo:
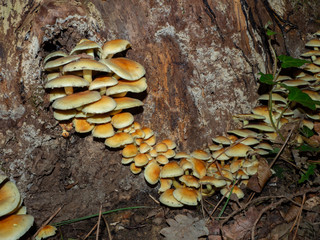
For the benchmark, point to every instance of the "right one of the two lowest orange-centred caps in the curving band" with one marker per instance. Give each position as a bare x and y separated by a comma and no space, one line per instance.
187,196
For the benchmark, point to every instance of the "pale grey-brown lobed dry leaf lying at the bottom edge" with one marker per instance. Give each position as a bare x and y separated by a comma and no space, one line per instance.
184,227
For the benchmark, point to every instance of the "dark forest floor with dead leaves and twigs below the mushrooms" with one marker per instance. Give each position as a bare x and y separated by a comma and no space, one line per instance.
284,209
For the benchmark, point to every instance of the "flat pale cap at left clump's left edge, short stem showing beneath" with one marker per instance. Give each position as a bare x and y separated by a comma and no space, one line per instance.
67,81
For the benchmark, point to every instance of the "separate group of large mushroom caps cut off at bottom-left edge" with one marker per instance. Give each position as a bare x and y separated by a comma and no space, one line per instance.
14,221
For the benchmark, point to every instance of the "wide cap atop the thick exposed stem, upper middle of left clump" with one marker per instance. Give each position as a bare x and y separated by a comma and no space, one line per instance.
85,64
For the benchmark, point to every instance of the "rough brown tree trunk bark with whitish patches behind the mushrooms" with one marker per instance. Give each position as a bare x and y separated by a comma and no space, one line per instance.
202,59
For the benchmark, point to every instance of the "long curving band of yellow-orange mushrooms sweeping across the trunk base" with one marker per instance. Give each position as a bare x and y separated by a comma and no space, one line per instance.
88,89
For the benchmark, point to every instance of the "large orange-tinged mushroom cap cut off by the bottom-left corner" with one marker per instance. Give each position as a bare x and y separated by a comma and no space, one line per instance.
15,226
